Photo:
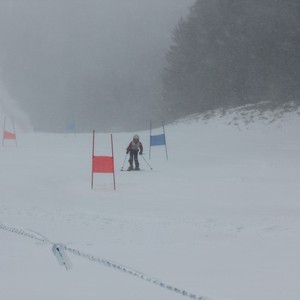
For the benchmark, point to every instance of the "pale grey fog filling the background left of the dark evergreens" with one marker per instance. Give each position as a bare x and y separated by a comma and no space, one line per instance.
93,63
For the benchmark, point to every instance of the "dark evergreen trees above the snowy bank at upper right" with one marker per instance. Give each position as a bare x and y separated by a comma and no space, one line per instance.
233,52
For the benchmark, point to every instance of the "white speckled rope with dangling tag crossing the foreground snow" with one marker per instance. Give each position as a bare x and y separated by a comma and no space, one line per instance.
60,249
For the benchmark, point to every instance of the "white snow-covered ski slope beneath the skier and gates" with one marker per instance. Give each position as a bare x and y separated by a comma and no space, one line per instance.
219,219
